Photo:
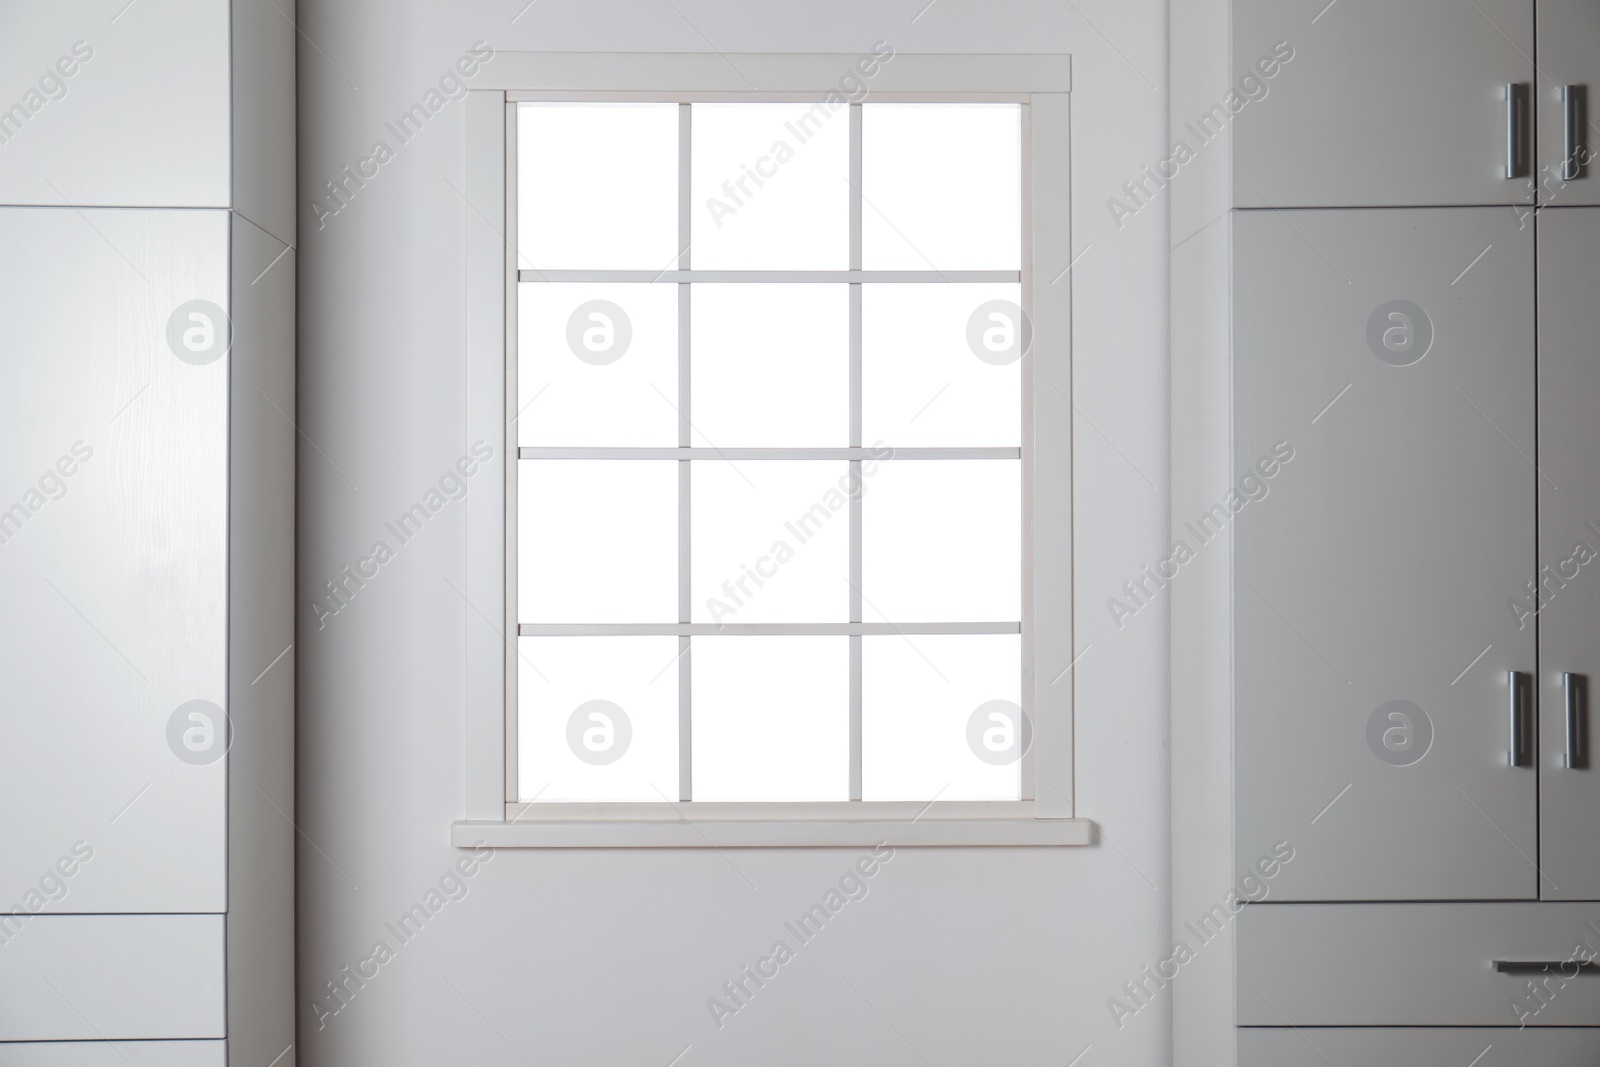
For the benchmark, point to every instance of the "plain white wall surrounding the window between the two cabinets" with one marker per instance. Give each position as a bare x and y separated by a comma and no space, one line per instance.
956,956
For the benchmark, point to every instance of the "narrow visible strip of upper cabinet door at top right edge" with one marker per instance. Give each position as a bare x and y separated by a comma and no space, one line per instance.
1569,57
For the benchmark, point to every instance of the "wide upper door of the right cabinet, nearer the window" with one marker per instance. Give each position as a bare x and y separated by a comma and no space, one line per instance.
1382,103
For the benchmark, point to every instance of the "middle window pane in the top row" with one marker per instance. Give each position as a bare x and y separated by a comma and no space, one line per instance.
770,188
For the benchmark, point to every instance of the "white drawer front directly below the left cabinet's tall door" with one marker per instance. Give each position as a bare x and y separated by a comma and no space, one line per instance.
86,978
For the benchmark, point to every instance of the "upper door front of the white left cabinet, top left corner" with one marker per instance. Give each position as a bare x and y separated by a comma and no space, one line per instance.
110,103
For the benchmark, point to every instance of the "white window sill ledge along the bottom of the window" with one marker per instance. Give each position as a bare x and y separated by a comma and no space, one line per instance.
985,825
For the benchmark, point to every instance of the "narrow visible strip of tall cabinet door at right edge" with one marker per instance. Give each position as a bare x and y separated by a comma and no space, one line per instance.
1569,548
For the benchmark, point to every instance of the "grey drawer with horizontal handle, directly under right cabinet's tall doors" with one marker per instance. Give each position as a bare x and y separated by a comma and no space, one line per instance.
1415,965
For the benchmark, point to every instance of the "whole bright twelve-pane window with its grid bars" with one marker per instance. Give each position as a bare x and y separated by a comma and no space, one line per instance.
785,533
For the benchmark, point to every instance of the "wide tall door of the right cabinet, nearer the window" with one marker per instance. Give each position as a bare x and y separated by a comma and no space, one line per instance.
1393,354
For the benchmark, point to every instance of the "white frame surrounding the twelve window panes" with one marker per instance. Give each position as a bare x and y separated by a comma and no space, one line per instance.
1046,815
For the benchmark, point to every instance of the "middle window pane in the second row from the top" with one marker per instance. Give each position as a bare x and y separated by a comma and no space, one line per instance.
770,366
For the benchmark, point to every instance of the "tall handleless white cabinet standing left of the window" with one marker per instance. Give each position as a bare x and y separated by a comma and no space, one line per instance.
146,533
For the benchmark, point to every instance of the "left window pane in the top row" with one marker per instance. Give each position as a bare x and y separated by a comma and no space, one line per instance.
598,186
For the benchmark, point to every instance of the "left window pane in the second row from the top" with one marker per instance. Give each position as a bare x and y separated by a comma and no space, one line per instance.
598,364
